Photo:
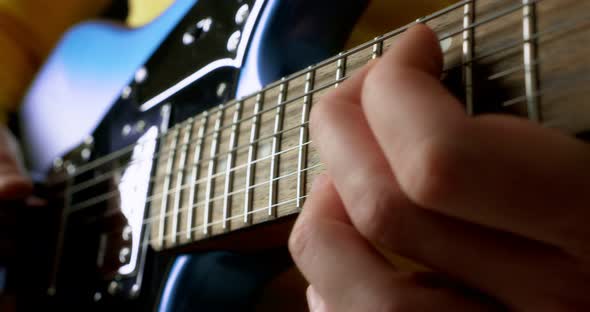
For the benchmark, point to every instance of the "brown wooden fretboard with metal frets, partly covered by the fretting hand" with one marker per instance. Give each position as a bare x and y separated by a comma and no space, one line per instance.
251,160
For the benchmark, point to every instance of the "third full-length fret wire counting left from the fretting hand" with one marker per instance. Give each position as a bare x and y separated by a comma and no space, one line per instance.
252,152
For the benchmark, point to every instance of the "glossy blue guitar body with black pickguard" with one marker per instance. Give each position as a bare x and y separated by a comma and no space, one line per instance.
105,86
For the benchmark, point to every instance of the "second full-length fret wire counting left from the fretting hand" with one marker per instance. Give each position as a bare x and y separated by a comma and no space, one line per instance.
276,146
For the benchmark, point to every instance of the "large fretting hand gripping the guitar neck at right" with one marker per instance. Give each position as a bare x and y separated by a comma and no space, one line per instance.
495,204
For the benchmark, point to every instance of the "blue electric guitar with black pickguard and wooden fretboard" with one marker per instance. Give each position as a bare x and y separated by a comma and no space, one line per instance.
206,146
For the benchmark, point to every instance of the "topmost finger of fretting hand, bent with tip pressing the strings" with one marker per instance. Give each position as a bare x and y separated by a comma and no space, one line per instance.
489,170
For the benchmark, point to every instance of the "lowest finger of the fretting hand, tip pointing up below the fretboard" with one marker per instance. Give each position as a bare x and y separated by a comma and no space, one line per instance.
349,275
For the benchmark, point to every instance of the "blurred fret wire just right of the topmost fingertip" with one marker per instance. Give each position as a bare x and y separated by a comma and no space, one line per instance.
468,48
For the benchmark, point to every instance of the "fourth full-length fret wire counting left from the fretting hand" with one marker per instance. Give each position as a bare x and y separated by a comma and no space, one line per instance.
229,173
